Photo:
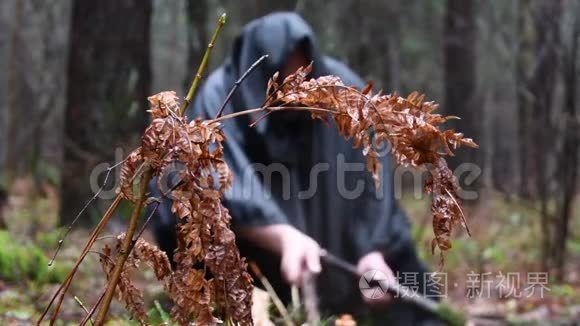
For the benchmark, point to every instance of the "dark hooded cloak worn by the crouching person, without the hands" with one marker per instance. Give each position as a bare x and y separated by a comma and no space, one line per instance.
284,148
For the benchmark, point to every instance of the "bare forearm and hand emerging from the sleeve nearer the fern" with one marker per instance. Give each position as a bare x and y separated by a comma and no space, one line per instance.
300,253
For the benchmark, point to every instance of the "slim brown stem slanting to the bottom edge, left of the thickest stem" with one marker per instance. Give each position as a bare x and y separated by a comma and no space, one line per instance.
66,283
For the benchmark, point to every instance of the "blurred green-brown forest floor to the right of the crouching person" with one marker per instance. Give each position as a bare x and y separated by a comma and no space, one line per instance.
496,273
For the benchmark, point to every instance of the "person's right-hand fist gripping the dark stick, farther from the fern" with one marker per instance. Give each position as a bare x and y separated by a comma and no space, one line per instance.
374,261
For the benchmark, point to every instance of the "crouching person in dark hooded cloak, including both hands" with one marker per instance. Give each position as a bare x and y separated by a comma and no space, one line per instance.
298,185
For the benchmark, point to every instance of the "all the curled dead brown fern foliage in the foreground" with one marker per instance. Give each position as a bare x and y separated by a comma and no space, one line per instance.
204,234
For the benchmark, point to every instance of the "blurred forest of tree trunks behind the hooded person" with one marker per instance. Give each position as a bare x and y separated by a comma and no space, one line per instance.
76,74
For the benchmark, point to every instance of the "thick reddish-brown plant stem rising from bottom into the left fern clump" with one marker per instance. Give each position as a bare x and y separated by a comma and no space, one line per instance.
125,246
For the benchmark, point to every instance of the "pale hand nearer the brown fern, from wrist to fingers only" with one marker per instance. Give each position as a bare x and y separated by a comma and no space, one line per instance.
300,256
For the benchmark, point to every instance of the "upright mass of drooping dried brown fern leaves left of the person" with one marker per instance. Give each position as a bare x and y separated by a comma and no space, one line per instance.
203,233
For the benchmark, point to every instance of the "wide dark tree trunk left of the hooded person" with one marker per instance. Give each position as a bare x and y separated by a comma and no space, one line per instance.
109,78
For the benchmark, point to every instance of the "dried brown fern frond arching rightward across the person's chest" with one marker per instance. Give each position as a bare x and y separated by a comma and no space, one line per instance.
408,124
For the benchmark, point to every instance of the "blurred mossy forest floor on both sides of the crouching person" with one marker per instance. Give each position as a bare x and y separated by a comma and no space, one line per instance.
488,276
